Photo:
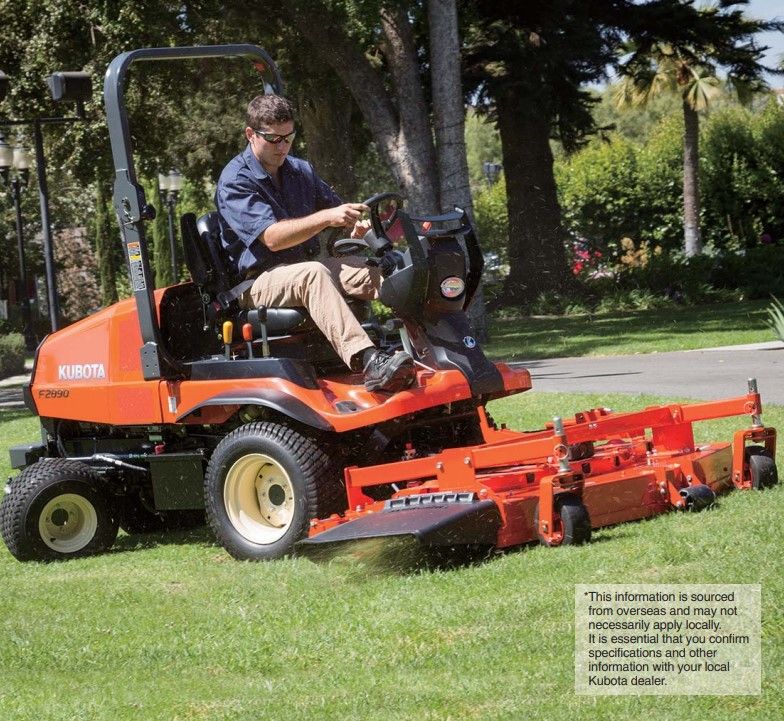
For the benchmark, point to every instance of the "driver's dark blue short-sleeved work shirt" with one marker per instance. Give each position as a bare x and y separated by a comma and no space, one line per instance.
248,202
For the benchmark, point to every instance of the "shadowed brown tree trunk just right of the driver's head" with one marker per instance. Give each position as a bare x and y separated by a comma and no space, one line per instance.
323,109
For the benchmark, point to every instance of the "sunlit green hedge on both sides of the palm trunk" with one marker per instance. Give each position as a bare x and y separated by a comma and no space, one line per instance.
619,188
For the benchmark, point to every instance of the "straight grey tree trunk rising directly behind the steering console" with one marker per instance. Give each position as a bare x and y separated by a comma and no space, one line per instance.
449,120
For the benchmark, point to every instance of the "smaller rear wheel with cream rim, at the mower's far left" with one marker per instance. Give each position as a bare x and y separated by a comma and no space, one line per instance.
57,509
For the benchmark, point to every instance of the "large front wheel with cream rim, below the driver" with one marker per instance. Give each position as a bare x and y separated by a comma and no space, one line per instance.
264,483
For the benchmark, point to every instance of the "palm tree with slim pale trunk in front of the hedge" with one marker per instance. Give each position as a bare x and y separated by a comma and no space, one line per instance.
699,42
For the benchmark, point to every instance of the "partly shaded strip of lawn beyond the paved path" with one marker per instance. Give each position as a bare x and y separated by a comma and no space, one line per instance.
630,332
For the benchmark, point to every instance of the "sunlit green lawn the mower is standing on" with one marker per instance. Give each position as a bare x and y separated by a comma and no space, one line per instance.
169,627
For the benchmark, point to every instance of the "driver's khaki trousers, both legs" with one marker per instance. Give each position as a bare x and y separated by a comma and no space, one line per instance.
319,287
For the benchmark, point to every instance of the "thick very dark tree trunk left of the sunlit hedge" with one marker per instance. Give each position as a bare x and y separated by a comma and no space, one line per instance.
537,257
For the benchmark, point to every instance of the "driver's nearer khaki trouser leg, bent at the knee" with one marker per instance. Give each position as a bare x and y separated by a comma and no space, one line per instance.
312,286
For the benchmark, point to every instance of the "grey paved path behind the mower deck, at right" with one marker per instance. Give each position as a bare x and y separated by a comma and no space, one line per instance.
705,374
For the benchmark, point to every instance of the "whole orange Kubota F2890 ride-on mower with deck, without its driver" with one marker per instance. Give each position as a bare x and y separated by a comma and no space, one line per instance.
178,406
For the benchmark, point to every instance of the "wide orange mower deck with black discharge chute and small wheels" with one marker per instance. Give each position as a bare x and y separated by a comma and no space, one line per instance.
555,485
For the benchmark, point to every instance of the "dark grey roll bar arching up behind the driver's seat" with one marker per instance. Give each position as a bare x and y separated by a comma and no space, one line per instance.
129,201
